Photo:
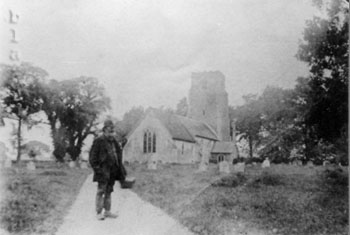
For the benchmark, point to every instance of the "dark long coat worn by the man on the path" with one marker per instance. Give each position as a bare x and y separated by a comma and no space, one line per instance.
101,160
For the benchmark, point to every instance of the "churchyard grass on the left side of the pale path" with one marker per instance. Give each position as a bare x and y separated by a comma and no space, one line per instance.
35,202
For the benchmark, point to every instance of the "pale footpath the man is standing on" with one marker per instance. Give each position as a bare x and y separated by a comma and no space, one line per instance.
136,217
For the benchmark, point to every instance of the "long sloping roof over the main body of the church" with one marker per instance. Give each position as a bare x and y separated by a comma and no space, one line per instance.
185,129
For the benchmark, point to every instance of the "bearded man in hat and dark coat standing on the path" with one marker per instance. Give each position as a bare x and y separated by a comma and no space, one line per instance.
106,161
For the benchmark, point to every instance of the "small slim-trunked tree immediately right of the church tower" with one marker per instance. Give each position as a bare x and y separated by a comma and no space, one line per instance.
248,121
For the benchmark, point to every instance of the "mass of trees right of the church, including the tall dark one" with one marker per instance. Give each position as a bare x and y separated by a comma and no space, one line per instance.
312,118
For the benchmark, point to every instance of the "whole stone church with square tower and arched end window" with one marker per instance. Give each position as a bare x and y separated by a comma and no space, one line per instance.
203,135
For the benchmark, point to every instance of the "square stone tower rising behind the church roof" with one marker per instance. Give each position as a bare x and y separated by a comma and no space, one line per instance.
208,102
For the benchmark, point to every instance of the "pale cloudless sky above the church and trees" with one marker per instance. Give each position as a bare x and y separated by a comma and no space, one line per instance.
144,51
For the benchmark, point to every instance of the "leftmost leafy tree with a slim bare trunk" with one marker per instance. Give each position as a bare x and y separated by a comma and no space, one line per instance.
21,85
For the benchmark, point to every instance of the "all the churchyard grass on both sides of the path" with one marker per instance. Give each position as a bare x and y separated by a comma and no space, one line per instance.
281,200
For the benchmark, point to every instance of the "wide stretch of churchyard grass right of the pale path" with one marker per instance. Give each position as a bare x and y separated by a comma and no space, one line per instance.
282,199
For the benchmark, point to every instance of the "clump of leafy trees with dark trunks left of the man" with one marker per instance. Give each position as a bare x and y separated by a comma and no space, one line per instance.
72,106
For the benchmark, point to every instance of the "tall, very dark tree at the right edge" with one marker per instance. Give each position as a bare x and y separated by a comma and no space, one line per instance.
326,50
